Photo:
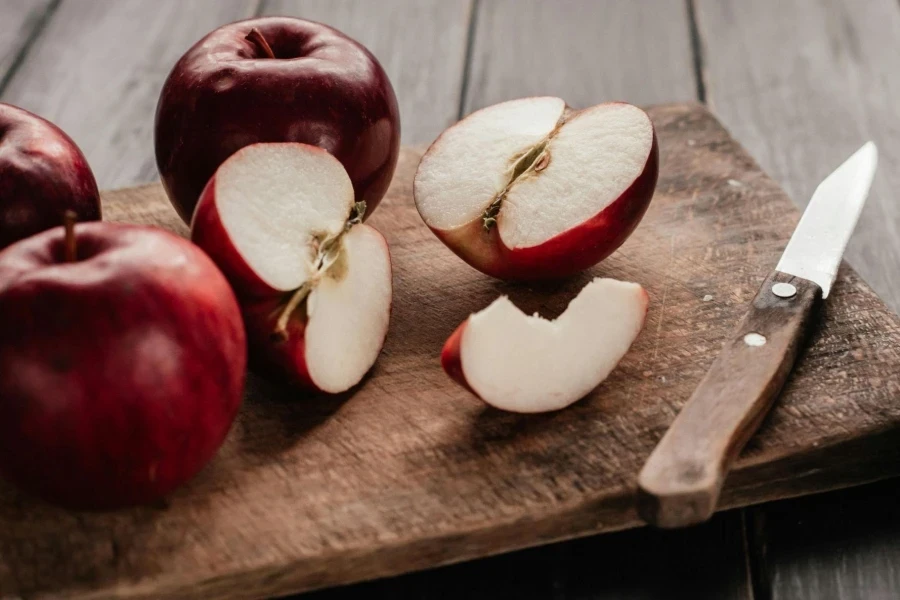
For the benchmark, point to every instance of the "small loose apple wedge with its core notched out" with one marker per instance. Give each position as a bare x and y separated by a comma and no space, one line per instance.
527,364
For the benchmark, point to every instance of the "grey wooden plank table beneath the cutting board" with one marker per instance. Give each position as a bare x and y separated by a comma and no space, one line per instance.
801,83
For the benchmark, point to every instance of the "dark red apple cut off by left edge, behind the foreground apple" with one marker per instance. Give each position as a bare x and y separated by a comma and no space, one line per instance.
43,174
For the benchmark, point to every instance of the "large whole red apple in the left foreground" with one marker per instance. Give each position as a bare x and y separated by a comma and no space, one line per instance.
120,373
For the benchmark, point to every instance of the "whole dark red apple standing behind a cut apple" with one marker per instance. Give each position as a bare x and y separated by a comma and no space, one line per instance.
324,89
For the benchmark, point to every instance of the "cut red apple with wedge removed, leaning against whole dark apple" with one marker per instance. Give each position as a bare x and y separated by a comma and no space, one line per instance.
313,282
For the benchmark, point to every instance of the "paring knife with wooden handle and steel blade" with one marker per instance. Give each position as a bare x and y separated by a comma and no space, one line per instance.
680,483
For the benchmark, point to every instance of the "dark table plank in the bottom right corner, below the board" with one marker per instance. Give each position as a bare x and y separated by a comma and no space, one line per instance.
840,545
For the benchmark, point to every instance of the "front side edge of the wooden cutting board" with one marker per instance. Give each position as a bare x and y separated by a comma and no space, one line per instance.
302,576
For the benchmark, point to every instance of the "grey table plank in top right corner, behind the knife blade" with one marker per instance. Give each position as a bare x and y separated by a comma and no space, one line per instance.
803,84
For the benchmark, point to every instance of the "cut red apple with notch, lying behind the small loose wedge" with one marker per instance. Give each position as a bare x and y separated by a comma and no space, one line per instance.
530,189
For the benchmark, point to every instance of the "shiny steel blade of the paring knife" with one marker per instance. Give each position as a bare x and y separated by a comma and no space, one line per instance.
815,249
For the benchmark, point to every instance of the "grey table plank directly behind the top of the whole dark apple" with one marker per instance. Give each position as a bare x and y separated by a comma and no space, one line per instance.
421,45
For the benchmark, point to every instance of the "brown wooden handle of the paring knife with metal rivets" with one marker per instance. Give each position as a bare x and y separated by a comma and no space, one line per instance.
680,483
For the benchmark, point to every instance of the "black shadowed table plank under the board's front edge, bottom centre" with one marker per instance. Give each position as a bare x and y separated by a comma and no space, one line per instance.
647,563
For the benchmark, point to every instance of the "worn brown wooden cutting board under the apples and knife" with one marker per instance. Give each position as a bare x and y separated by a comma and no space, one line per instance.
410,471
